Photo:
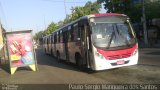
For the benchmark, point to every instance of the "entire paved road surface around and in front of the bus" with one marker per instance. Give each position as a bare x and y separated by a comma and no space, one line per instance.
52,72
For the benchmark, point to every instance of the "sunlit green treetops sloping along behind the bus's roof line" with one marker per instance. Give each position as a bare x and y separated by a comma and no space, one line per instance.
76,12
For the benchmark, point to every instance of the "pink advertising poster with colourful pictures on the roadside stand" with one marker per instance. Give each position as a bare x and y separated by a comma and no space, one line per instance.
20,49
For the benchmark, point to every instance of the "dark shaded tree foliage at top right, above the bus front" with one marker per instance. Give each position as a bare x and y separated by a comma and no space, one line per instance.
134,11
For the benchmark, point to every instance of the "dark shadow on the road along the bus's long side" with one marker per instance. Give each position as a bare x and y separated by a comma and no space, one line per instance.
44,59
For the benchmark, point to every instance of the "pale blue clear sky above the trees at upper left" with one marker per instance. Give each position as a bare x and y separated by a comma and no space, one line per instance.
35,15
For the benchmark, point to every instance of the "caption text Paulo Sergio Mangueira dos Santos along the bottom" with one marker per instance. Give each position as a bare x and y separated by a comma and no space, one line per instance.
113,87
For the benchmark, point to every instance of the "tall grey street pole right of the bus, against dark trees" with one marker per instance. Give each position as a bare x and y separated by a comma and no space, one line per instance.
144,24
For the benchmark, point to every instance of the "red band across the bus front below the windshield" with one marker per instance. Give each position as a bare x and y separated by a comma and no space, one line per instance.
118,54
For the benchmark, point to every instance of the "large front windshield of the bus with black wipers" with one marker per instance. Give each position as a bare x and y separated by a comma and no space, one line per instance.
113,34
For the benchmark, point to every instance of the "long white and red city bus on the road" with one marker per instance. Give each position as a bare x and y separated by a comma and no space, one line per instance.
97,41
